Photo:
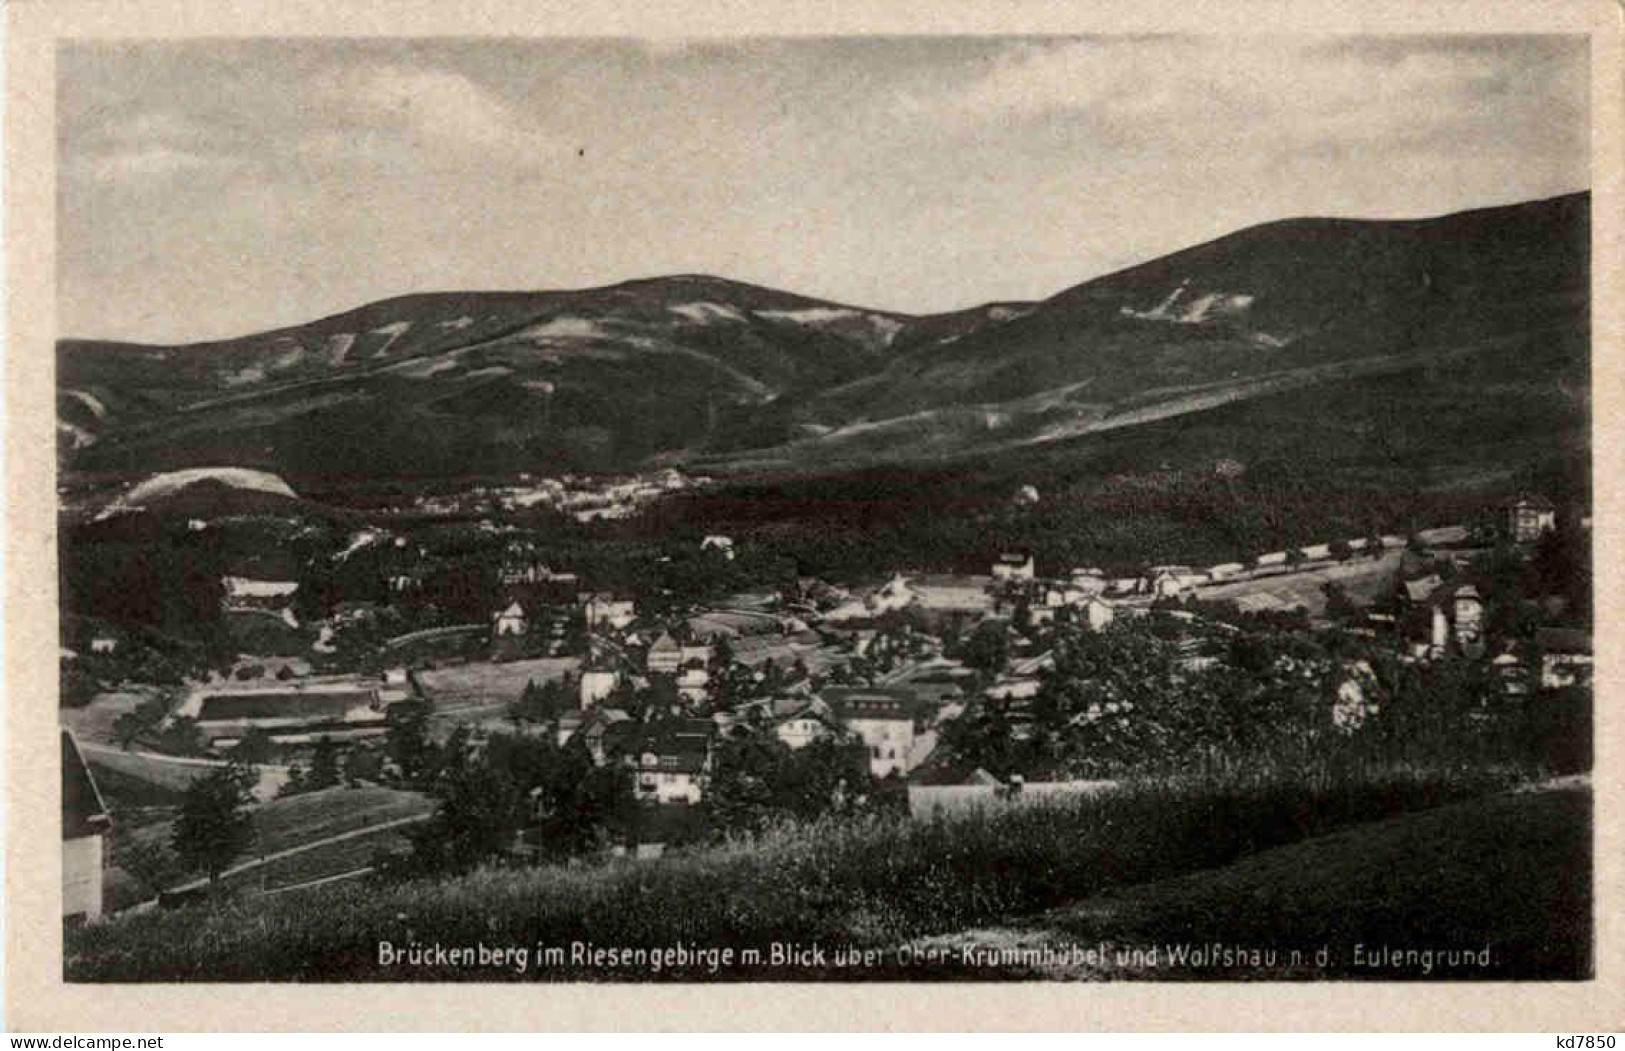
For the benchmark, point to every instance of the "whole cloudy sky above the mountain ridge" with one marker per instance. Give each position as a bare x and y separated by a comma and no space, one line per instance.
215,189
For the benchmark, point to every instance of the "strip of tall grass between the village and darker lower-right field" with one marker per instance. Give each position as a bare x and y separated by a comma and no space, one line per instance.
870,883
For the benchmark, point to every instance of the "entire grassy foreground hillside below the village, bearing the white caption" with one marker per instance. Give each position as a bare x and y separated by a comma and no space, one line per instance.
1345,862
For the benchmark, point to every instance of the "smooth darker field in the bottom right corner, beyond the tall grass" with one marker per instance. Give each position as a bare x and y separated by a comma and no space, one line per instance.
1510,875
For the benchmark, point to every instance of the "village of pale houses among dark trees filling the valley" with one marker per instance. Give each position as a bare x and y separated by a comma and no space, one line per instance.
436,693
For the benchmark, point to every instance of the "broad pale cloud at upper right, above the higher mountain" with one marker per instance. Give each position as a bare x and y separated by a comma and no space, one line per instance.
1283,92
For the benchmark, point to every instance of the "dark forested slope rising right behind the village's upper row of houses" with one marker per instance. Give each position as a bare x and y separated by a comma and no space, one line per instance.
1439,444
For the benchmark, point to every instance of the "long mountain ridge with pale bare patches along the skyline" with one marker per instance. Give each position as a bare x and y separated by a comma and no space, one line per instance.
703,368
